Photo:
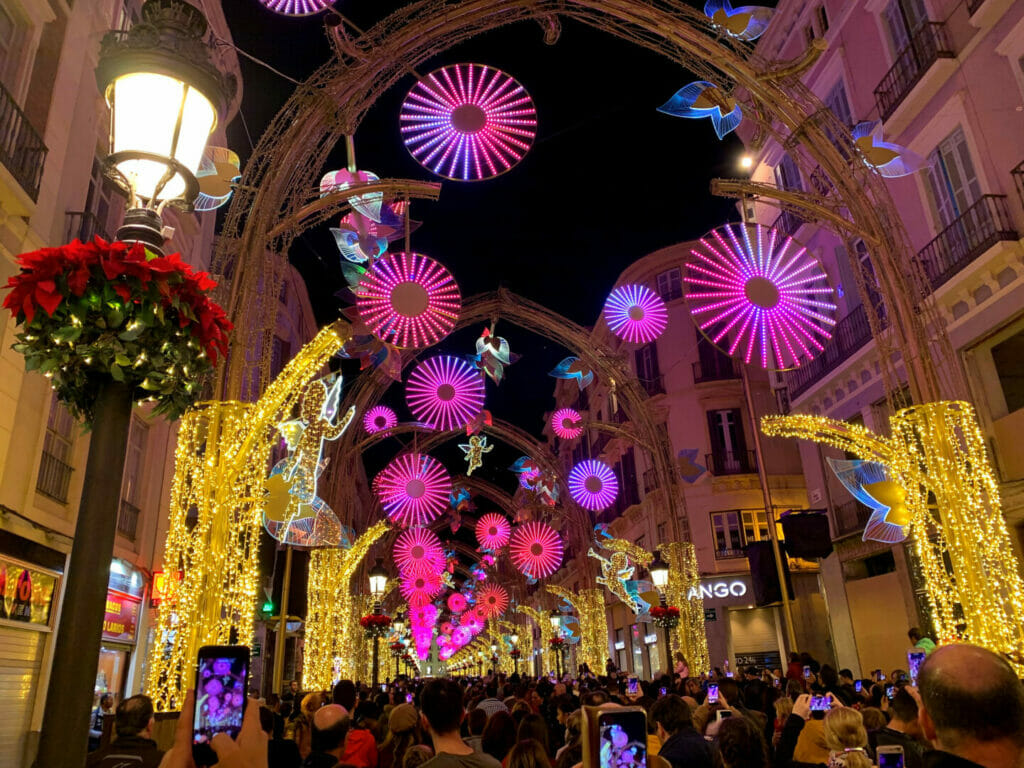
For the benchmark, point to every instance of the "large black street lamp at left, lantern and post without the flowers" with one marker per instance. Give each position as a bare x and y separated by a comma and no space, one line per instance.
165,96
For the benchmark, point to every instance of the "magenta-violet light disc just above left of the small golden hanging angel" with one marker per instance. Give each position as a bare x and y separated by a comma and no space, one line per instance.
446,393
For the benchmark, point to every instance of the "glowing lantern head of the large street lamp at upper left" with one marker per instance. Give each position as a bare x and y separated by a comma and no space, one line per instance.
164,106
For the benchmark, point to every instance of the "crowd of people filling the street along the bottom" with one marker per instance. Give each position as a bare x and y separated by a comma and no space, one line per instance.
966,711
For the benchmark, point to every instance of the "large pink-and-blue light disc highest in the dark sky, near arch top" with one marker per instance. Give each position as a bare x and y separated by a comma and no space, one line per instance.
468,122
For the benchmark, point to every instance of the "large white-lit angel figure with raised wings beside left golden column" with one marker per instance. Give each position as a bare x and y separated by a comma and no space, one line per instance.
292,509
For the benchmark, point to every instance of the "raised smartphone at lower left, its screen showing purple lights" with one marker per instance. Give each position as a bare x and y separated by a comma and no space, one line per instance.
222,682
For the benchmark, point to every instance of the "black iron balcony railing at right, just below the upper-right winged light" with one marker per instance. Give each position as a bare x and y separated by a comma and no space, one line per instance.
977,230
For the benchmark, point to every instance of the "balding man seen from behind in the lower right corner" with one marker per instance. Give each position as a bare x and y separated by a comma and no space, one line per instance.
971,709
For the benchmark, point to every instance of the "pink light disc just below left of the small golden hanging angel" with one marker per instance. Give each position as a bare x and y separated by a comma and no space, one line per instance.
414,489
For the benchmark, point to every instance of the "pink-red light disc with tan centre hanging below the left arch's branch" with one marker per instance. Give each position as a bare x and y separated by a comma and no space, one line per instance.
409,301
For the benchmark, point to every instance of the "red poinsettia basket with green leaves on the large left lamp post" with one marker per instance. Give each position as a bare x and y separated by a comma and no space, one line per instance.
93,313
